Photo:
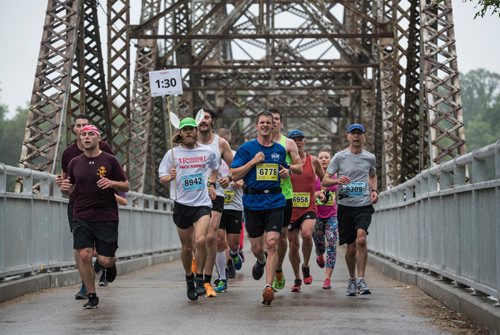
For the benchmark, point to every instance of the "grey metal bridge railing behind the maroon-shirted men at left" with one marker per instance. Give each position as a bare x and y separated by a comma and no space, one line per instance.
34,229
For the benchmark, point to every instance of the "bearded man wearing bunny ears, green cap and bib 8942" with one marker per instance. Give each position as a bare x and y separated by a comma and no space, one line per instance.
187,167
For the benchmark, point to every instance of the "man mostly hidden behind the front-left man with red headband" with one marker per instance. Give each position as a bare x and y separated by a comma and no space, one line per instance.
75,150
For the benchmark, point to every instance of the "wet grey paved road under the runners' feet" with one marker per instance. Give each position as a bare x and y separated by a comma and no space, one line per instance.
153,301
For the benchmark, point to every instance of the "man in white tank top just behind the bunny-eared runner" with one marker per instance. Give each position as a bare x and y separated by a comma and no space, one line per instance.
223,152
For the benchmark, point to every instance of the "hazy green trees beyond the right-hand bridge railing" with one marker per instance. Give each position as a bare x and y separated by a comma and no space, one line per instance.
481,107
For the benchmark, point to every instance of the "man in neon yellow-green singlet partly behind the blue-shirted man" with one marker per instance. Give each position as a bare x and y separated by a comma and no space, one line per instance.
292,159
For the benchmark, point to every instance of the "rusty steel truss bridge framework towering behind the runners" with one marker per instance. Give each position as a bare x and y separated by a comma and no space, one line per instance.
390,64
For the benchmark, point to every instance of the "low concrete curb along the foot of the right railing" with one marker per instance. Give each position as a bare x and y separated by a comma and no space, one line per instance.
477,308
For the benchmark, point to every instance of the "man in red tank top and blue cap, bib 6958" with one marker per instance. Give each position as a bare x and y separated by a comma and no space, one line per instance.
304,210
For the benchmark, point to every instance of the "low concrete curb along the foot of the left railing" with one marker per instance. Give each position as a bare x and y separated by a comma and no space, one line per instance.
15,288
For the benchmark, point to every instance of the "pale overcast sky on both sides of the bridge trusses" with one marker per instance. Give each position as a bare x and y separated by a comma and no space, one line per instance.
21,23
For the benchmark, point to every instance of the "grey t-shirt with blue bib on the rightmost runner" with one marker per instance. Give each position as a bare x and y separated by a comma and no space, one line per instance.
357,167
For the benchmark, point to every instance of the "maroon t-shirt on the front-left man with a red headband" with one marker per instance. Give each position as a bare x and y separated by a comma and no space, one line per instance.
90,202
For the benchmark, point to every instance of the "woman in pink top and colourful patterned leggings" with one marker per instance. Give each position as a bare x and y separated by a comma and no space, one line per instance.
326,226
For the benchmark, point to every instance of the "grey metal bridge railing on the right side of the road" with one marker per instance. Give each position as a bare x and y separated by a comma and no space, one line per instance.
446,220
